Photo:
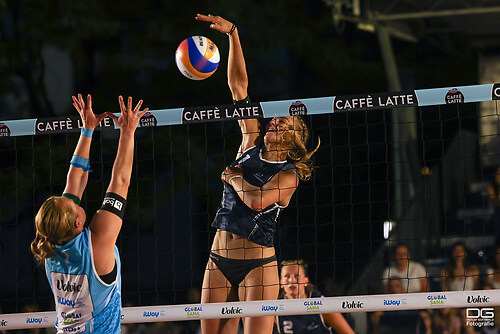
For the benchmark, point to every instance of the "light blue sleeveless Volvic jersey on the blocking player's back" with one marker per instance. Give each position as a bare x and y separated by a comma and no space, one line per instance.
84,303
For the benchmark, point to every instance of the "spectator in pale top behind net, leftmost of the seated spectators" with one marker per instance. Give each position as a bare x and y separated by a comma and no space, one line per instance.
412,274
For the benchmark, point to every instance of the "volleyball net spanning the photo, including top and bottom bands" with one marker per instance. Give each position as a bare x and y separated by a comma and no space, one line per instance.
407,167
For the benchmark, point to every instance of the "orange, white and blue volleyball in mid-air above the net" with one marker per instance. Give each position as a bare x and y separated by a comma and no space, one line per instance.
197,57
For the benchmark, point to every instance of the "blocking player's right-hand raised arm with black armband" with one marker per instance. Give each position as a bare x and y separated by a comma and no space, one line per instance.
107,222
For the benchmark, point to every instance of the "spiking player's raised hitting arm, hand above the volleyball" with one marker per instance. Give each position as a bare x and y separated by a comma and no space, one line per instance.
237,77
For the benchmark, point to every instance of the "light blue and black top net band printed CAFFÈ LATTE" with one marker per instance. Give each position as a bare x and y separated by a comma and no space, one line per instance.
310,106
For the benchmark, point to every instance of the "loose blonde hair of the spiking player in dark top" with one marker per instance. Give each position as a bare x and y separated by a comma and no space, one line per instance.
297,153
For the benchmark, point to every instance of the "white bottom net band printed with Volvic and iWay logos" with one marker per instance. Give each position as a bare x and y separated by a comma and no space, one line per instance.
347,304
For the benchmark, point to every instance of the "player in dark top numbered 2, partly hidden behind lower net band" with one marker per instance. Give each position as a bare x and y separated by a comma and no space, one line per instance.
295,284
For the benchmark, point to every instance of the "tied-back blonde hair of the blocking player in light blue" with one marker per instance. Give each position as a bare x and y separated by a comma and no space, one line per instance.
54,224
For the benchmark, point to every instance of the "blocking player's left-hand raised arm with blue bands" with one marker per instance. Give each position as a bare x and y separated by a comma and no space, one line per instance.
77,177
